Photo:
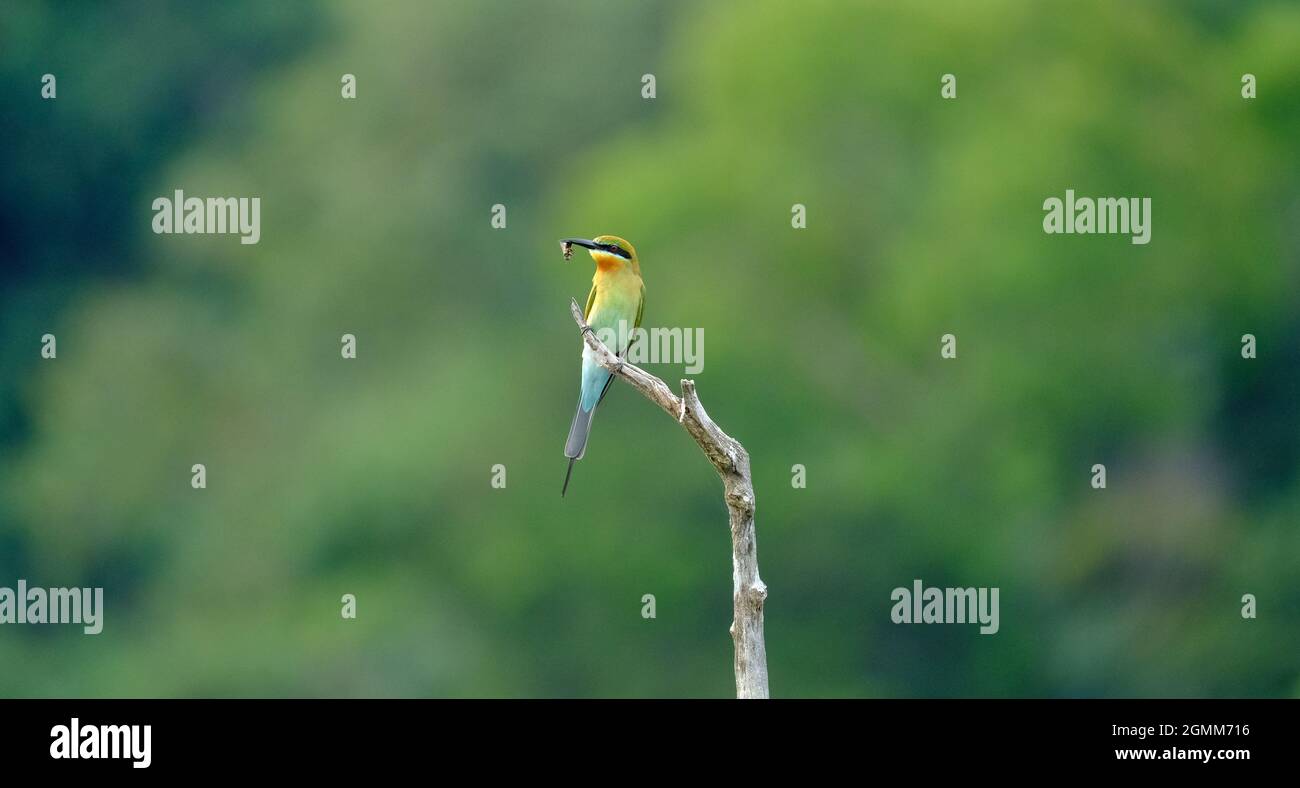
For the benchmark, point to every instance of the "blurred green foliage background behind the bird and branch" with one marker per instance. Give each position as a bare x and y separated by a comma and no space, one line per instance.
925,218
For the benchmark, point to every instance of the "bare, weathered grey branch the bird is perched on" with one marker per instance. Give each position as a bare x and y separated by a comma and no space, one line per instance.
731,461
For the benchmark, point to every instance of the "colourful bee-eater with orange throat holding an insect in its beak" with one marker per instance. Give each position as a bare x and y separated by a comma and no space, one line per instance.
618,297
